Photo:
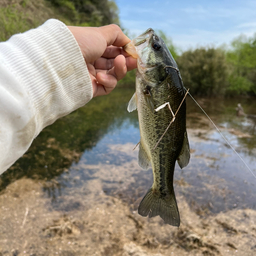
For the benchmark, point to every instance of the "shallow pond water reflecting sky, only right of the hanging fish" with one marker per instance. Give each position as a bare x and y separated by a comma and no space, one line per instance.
220,180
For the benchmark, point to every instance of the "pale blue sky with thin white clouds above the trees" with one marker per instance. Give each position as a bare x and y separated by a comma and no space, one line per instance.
193,23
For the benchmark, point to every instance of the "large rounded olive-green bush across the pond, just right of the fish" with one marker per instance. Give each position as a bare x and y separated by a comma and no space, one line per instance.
204,71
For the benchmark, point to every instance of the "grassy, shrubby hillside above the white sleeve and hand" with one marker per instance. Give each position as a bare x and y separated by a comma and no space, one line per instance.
17,16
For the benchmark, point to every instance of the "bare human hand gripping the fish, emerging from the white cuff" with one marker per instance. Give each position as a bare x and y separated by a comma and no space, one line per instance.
107,62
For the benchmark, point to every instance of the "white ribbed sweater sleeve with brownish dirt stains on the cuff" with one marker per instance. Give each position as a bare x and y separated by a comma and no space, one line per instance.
43,77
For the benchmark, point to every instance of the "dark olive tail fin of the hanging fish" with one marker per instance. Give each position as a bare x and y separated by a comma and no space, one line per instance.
154,204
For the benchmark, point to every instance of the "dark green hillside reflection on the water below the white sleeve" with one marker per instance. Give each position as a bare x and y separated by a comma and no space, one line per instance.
63,143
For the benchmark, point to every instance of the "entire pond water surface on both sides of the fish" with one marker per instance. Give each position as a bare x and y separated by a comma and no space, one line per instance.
96,143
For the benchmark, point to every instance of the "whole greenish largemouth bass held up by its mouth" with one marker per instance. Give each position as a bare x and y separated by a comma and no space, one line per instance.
160,101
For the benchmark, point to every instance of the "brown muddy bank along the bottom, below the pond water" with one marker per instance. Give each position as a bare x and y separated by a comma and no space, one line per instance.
99,224
